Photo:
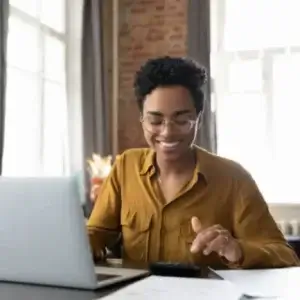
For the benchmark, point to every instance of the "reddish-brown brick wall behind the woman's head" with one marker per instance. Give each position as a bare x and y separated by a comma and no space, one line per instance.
148,28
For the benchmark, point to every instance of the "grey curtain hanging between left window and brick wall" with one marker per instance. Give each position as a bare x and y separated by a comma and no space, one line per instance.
96,108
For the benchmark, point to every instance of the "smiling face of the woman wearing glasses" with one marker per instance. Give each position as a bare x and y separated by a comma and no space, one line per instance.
170,121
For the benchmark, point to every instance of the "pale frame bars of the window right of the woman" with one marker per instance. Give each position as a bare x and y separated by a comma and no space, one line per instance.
221,59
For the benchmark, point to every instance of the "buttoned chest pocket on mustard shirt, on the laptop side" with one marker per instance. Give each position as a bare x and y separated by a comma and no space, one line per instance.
136,235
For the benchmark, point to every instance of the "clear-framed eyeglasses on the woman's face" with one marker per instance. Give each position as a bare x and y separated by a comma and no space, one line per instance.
157,125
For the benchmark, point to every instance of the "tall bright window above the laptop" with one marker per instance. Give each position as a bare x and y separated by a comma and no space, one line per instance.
35,141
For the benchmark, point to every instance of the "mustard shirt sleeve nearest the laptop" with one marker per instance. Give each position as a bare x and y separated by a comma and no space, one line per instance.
103,225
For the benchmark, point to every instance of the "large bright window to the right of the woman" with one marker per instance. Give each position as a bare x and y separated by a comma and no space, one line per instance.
256,61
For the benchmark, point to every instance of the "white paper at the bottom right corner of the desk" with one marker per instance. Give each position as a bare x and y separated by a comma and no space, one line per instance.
283,283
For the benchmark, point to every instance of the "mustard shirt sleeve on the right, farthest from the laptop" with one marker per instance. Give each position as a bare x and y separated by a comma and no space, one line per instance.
263,245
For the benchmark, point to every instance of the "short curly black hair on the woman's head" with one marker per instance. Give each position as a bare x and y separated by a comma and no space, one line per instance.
170,71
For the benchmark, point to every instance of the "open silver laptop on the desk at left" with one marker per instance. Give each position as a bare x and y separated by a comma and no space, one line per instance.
43,238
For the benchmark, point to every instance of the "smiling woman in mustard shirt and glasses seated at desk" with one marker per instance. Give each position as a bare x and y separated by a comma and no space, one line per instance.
174,201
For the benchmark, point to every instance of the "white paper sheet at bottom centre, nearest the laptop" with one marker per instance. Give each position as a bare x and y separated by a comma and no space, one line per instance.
175,288
